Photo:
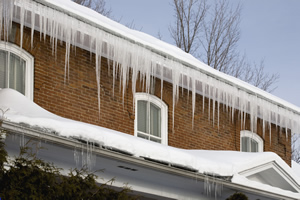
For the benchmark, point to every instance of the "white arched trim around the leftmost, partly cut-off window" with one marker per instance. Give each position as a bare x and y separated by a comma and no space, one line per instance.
29,60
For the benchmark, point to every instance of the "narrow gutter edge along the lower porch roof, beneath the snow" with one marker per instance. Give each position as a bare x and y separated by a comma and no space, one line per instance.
71,143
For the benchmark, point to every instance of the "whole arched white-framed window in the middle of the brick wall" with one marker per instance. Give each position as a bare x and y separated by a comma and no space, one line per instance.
151,118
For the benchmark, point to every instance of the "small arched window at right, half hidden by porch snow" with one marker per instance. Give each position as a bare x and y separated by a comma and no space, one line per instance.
251,142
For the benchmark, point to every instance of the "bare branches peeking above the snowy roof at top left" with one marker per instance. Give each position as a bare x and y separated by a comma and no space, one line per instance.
97,5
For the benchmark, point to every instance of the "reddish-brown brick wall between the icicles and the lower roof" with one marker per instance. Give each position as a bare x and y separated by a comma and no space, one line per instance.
77,99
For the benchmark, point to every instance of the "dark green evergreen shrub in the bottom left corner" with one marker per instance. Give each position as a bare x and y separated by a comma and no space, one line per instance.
29,177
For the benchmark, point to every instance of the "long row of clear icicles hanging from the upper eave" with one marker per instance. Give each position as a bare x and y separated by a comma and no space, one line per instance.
130,55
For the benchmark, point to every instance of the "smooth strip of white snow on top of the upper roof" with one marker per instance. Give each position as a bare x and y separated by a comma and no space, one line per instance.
87,14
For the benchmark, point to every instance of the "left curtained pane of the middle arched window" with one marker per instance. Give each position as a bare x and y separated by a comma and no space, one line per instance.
142,122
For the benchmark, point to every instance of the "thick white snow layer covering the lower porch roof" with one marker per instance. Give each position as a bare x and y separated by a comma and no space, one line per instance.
20,109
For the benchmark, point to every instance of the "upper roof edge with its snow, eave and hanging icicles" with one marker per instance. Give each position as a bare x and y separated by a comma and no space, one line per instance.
82,27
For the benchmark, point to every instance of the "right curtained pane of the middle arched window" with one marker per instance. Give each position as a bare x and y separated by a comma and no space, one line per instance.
155,120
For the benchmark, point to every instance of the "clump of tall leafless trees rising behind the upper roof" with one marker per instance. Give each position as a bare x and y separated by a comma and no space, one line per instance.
211,33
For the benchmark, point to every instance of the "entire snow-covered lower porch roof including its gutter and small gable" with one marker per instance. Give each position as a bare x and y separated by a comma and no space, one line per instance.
251,170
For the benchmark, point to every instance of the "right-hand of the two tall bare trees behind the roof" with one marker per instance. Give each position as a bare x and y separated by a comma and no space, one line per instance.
221,34
